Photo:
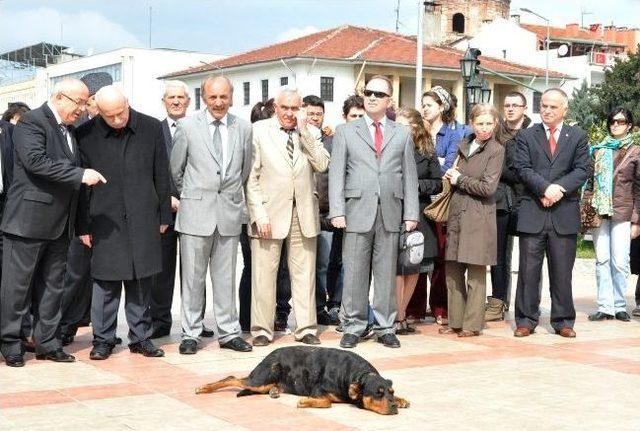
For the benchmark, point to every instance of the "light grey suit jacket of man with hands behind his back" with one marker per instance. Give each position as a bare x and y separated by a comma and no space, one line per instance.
209,200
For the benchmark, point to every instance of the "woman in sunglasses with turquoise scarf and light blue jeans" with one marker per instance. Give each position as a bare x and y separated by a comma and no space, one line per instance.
616,198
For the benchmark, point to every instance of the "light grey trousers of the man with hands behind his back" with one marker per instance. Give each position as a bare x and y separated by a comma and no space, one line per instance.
219,254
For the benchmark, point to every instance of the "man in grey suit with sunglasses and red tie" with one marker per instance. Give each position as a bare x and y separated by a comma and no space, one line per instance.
373,188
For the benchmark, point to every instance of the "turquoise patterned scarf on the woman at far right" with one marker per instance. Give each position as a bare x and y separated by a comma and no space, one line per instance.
602,200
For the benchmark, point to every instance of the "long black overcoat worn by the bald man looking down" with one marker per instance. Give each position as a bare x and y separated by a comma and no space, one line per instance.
124,215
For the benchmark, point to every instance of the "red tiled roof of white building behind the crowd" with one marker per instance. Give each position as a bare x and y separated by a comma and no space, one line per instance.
351,43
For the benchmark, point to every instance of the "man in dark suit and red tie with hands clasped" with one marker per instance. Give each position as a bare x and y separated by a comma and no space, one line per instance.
551,161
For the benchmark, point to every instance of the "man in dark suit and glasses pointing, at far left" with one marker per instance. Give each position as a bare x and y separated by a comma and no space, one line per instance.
38,221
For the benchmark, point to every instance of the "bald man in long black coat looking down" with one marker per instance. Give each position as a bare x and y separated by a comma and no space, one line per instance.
123,219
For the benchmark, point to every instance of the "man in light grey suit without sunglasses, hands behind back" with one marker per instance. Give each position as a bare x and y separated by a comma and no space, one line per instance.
210,161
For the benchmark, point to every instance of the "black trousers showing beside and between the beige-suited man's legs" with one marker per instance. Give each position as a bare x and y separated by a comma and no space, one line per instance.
283,285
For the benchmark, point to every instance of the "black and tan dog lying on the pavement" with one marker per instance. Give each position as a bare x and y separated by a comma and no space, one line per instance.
322,375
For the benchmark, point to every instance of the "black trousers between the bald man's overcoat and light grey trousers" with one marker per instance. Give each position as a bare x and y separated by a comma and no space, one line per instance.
164,282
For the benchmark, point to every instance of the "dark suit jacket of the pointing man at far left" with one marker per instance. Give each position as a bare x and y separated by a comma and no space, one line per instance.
43,196
